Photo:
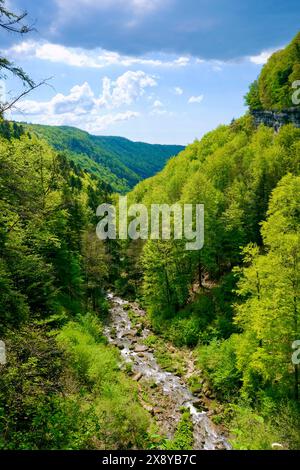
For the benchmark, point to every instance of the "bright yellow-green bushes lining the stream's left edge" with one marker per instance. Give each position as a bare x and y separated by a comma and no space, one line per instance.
121,421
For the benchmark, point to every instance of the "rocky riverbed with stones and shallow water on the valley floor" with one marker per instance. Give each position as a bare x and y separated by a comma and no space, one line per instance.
167,391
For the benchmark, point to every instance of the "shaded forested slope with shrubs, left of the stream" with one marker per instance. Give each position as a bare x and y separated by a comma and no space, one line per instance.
62,387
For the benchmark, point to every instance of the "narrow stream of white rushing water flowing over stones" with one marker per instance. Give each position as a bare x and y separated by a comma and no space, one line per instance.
121,334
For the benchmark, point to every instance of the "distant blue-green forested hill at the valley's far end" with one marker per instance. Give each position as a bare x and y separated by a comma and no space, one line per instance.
119,162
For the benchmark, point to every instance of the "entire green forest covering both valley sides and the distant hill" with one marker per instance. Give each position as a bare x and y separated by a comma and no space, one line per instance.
233,306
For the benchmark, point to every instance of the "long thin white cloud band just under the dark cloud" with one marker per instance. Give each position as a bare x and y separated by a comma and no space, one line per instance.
95,58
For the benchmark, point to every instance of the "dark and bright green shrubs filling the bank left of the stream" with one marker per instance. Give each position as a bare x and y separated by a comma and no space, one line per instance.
67,392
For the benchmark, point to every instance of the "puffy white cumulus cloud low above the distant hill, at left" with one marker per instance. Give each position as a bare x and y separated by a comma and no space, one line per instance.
82,108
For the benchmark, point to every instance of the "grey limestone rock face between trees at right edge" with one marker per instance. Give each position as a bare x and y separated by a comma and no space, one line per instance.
276,119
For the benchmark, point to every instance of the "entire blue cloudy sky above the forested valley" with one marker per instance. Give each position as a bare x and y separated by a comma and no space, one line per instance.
158,71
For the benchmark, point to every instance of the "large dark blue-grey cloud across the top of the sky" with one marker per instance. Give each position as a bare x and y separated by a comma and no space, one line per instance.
194,28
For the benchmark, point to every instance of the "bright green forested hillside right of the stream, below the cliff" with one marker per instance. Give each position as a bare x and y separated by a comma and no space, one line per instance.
237,300
